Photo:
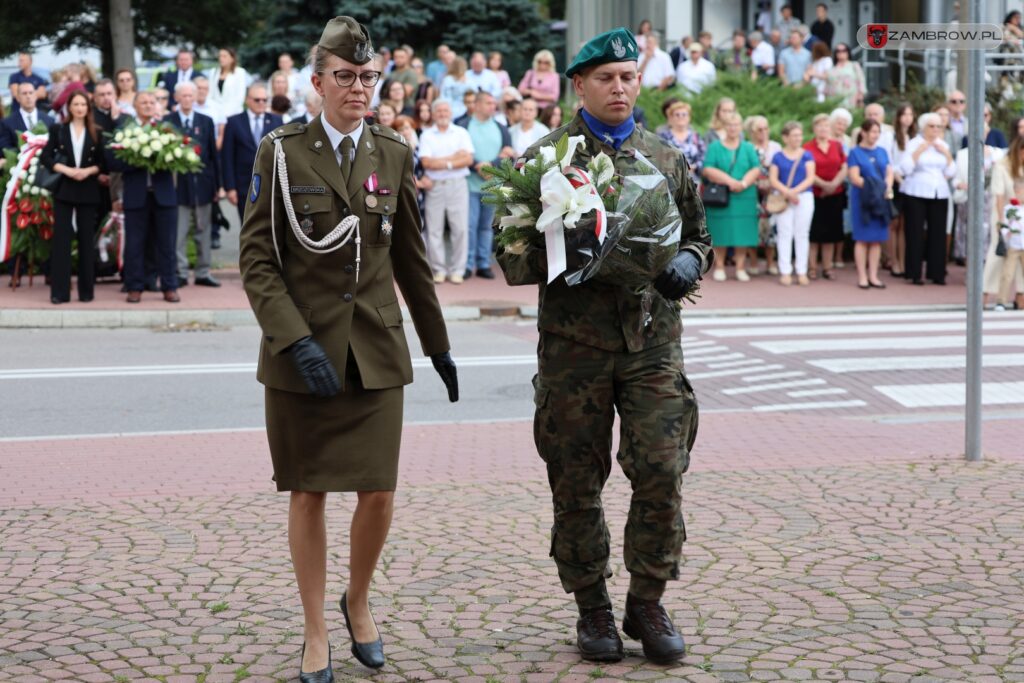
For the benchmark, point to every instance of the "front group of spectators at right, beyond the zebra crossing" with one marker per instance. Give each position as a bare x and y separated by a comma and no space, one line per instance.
898,192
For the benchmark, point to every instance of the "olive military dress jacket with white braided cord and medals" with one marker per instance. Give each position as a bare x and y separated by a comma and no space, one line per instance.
318,294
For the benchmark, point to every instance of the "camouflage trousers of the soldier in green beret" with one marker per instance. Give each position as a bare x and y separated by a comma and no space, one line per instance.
578,392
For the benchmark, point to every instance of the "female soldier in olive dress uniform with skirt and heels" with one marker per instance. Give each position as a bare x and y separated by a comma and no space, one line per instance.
332,224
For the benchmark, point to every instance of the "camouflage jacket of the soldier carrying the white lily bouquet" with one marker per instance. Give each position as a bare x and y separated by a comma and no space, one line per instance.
602,315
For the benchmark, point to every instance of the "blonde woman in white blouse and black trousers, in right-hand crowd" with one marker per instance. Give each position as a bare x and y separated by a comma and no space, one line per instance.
927,165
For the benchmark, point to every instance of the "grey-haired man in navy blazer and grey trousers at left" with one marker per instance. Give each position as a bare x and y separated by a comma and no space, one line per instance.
197,192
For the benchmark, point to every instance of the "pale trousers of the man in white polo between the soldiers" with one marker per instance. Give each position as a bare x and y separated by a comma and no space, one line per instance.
448,199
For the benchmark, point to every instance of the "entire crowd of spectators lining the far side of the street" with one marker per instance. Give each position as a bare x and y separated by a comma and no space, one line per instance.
897,191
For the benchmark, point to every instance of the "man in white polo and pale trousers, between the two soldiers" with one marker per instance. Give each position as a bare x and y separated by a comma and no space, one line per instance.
447,154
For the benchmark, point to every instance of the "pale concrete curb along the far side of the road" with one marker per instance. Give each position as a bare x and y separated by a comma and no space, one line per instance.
35,318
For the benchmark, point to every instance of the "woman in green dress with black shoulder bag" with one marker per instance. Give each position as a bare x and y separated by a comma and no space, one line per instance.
734,163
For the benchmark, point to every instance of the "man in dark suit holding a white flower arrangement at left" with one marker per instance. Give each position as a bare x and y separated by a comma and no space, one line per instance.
151,216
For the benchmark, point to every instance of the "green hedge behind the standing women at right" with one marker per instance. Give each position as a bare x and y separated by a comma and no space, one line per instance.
765,97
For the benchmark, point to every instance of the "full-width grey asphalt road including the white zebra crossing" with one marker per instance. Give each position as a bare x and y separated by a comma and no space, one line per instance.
908,368
